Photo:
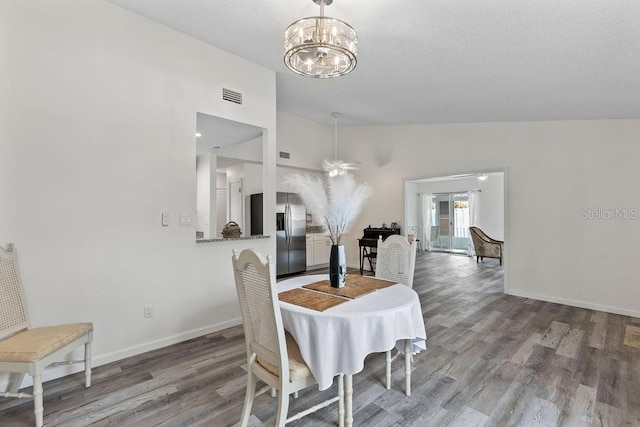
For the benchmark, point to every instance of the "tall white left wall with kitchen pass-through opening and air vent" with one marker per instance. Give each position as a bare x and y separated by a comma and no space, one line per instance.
98,112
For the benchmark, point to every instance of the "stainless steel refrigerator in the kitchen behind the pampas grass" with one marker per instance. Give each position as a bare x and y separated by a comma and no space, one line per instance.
291,235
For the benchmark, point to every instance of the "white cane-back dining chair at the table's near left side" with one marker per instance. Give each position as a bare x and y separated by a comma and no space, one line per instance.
273,356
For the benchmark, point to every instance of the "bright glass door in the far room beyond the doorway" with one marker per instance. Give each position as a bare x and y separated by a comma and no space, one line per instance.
450,212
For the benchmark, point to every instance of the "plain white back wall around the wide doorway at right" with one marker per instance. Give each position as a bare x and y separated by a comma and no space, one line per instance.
554,170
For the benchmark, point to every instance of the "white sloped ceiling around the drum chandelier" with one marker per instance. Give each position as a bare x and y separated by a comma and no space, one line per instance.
439,61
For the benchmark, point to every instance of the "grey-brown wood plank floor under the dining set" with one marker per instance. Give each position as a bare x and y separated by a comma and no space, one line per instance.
492,360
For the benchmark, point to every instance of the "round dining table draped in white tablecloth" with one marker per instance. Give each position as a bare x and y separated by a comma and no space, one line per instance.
337,340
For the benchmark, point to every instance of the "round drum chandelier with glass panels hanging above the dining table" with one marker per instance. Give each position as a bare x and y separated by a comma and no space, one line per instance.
319,46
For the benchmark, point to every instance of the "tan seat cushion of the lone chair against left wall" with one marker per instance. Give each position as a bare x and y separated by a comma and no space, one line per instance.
35,344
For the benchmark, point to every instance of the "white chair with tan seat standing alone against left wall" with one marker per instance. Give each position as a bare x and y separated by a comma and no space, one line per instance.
27,350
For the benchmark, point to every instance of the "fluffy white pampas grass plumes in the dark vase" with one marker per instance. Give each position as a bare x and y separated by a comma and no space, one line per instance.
336,200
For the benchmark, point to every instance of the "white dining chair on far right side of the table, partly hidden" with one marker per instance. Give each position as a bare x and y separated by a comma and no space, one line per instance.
396,262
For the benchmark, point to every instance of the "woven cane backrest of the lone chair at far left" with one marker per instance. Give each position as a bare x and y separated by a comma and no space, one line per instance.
14,316
